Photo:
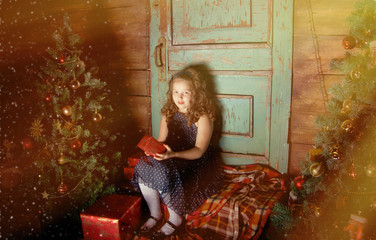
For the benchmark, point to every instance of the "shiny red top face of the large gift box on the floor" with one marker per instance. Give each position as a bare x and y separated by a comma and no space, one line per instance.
113,206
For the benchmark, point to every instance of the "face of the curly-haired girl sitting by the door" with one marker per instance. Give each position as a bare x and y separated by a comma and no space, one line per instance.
182,94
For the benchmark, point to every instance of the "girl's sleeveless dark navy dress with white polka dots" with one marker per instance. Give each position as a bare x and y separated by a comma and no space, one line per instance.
183,184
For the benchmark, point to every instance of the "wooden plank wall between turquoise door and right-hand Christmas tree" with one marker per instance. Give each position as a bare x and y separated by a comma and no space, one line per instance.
319,27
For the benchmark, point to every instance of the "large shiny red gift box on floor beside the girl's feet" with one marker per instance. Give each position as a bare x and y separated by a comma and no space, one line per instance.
112,217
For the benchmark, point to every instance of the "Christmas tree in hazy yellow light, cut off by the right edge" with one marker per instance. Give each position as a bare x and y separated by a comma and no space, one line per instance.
334,197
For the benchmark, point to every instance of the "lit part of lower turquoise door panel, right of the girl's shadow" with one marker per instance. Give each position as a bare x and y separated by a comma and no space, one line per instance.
254,116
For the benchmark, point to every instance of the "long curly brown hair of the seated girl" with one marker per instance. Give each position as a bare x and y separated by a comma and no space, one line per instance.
201,102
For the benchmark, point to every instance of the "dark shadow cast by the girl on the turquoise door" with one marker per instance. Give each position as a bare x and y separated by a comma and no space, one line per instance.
209,78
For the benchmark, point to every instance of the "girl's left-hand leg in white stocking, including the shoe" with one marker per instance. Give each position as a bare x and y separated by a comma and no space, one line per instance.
151,197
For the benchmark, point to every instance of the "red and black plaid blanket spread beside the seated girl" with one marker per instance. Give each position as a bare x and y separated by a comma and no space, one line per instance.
241,209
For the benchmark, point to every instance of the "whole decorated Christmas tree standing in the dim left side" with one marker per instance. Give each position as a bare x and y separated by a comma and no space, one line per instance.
69,142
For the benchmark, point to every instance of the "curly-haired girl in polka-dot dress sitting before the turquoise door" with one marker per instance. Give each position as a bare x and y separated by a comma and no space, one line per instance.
187,173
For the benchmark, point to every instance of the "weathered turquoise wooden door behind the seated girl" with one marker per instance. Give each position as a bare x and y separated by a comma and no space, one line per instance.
247,45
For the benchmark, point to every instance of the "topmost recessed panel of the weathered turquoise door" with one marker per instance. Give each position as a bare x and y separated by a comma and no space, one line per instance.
231,21
